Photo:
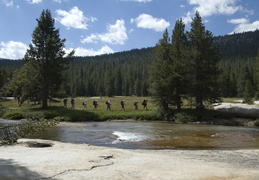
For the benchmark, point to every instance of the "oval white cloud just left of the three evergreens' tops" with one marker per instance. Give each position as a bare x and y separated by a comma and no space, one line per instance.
149,22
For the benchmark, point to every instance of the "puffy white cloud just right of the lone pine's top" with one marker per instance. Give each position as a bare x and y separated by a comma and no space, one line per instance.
73,19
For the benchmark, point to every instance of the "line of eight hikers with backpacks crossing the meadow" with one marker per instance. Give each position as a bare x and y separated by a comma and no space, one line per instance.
108,104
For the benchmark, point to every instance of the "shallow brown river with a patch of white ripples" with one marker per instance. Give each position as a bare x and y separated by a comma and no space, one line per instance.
153,135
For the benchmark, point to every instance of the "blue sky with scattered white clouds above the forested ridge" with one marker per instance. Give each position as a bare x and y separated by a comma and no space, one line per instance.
94,27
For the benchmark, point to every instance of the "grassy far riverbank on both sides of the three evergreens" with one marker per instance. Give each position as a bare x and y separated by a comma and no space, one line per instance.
9,109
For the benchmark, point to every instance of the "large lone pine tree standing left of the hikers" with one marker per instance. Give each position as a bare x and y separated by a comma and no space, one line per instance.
45,57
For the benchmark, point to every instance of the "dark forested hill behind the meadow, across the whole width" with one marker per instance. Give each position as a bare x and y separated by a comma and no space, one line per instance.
126,73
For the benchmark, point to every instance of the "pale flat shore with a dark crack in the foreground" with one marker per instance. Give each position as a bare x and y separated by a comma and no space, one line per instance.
82,161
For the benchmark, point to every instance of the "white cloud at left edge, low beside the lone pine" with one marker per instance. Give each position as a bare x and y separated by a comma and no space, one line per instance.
12,50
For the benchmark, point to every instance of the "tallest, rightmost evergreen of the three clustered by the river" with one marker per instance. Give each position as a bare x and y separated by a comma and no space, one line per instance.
204,60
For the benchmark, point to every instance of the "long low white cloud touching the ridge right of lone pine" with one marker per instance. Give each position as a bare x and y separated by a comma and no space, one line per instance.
90,52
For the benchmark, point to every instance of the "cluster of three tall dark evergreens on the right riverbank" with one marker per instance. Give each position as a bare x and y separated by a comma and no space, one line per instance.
185,67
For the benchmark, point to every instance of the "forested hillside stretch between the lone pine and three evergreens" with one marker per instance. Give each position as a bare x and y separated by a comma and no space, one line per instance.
118,74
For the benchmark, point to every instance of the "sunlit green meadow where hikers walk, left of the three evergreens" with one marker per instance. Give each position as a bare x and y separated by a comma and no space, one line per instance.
11,110
